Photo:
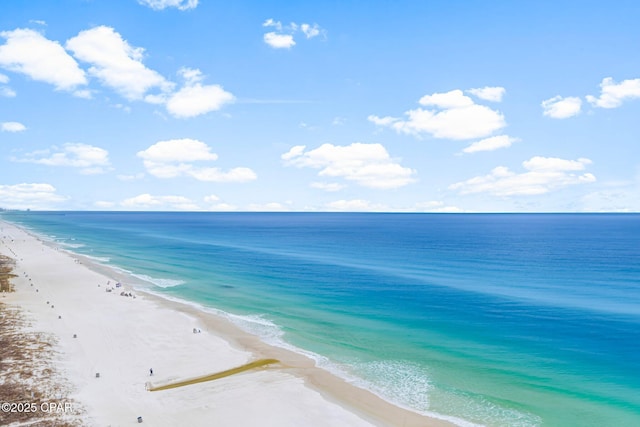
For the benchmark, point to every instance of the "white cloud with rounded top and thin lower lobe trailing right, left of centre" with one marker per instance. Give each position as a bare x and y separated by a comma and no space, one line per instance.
175,158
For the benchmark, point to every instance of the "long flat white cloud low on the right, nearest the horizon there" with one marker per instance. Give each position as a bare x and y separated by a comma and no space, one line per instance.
543,174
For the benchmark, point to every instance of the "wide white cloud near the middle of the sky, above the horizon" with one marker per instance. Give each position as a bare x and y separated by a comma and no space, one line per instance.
368,165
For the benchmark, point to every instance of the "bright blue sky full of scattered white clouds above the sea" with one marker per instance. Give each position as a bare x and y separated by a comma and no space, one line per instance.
404,106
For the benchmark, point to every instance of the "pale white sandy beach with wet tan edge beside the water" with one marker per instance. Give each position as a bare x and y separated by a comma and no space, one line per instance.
108,344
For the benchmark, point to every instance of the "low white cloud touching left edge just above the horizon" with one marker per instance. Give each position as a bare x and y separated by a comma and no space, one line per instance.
29,196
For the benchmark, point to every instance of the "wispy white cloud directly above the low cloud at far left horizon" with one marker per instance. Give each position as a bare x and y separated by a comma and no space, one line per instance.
89,159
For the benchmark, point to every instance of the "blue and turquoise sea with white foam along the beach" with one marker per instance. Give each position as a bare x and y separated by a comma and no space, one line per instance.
497,320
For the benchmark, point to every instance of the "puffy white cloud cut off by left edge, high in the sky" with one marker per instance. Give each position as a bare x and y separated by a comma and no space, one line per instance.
30,53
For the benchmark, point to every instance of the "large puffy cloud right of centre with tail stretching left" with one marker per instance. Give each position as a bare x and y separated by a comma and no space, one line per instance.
452,115
